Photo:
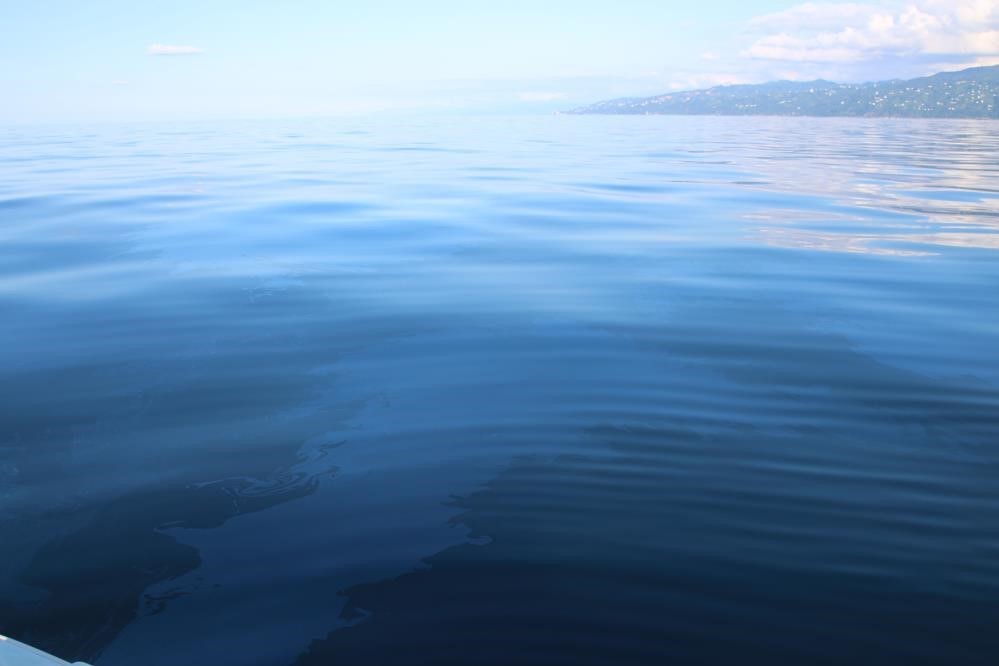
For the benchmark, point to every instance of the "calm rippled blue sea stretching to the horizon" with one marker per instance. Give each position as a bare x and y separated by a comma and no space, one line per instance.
566,390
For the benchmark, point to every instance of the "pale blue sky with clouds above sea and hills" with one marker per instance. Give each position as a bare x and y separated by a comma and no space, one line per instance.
123,60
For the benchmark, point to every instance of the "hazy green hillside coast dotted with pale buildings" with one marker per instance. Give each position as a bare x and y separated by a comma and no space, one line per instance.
969,93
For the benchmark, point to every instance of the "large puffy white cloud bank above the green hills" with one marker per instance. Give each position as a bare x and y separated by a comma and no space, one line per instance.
954,30
